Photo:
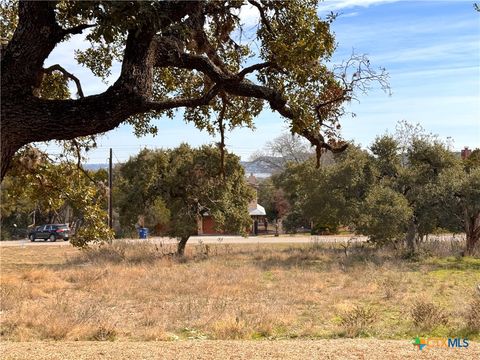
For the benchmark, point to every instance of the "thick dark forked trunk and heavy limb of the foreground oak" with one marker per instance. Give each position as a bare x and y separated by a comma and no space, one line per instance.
26,118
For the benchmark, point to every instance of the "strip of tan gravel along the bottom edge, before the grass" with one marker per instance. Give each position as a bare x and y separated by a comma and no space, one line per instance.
292,349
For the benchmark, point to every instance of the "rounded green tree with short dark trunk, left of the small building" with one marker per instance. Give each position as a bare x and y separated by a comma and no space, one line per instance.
171,189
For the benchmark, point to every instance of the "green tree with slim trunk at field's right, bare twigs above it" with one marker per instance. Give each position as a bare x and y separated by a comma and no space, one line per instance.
411,163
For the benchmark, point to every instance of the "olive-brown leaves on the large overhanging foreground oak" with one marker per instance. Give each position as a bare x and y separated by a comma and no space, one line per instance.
294,43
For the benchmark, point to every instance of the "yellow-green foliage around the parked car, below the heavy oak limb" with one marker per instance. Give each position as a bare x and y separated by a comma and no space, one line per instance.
53,190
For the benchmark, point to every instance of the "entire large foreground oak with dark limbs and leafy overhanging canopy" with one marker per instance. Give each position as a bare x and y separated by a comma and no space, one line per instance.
195,55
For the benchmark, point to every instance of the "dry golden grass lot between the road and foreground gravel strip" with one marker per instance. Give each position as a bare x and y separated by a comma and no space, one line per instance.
139,292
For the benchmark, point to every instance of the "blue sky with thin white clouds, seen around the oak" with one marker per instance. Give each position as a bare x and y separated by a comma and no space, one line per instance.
431,50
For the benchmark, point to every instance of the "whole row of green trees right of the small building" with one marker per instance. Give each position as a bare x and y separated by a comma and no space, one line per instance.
409,186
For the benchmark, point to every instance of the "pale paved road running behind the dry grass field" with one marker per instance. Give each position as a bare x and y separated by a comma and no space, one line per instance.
285,239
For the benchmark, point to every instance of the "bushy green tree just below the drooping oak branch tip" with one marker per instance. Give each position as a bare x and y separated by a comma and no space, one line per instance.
330,196
